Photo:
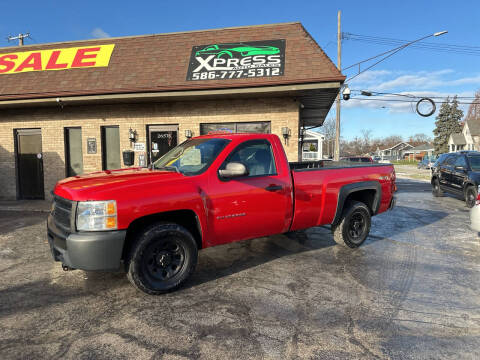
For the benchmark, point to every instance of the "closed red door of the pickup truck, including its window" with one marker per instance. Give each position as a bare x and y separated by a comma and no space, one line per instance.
251,206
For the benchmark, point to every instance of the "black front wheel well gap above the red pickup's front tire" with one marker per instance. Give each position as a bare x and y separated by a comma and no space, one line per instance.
186,218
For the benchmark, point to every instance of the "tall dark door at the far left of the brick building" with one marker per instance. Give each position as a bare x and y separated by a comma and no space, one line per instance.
28,148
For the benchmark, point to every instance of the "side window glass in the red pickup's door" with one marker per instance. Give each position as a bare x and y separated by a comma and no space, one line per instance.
256,155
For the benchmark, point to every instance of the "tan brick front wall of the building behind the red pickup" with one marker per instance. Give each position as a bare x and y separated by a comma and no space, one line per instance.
280,112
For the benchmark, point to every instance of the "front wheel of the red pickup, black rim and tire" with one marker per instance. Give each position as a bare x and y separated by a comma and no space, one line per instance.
151,251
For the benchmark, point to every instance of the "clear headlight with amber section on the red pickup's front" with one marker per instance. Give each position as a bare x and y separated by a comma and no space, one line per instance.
97,215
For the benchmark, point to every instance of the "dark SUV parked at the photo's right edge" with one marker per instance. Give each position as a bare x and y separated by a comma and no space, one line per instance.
457,173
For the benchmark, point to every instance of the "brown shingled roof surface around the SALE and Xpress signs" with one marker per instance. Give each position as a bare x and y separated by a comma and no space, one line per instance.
160,63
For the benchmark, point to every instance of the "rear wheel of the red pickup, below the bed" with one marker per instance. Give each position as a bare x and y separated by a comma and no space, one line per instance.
346,233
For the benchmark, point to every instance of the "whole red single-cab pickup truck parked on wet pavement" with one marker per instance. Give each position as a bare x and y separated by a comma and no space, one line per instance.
207,191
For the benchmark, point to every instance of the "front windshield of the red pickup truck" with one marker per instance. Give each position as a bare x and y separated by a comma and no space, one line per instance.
191,157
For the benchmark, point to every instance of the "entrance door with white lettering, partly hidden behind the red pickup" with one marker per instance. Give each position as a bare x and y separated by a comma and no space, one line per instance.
161,138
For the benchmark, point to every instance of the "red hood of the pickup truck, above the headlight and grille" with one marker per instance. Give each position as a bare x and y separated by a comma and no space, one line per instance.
112,184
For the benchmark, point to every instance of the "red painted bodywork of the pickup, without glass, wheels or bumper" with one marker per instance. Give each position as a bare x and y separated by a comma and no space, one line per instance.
237,209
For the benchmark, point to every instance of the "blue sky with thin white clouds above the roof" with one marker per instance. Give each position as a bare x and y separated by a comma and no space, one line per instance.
422,72
